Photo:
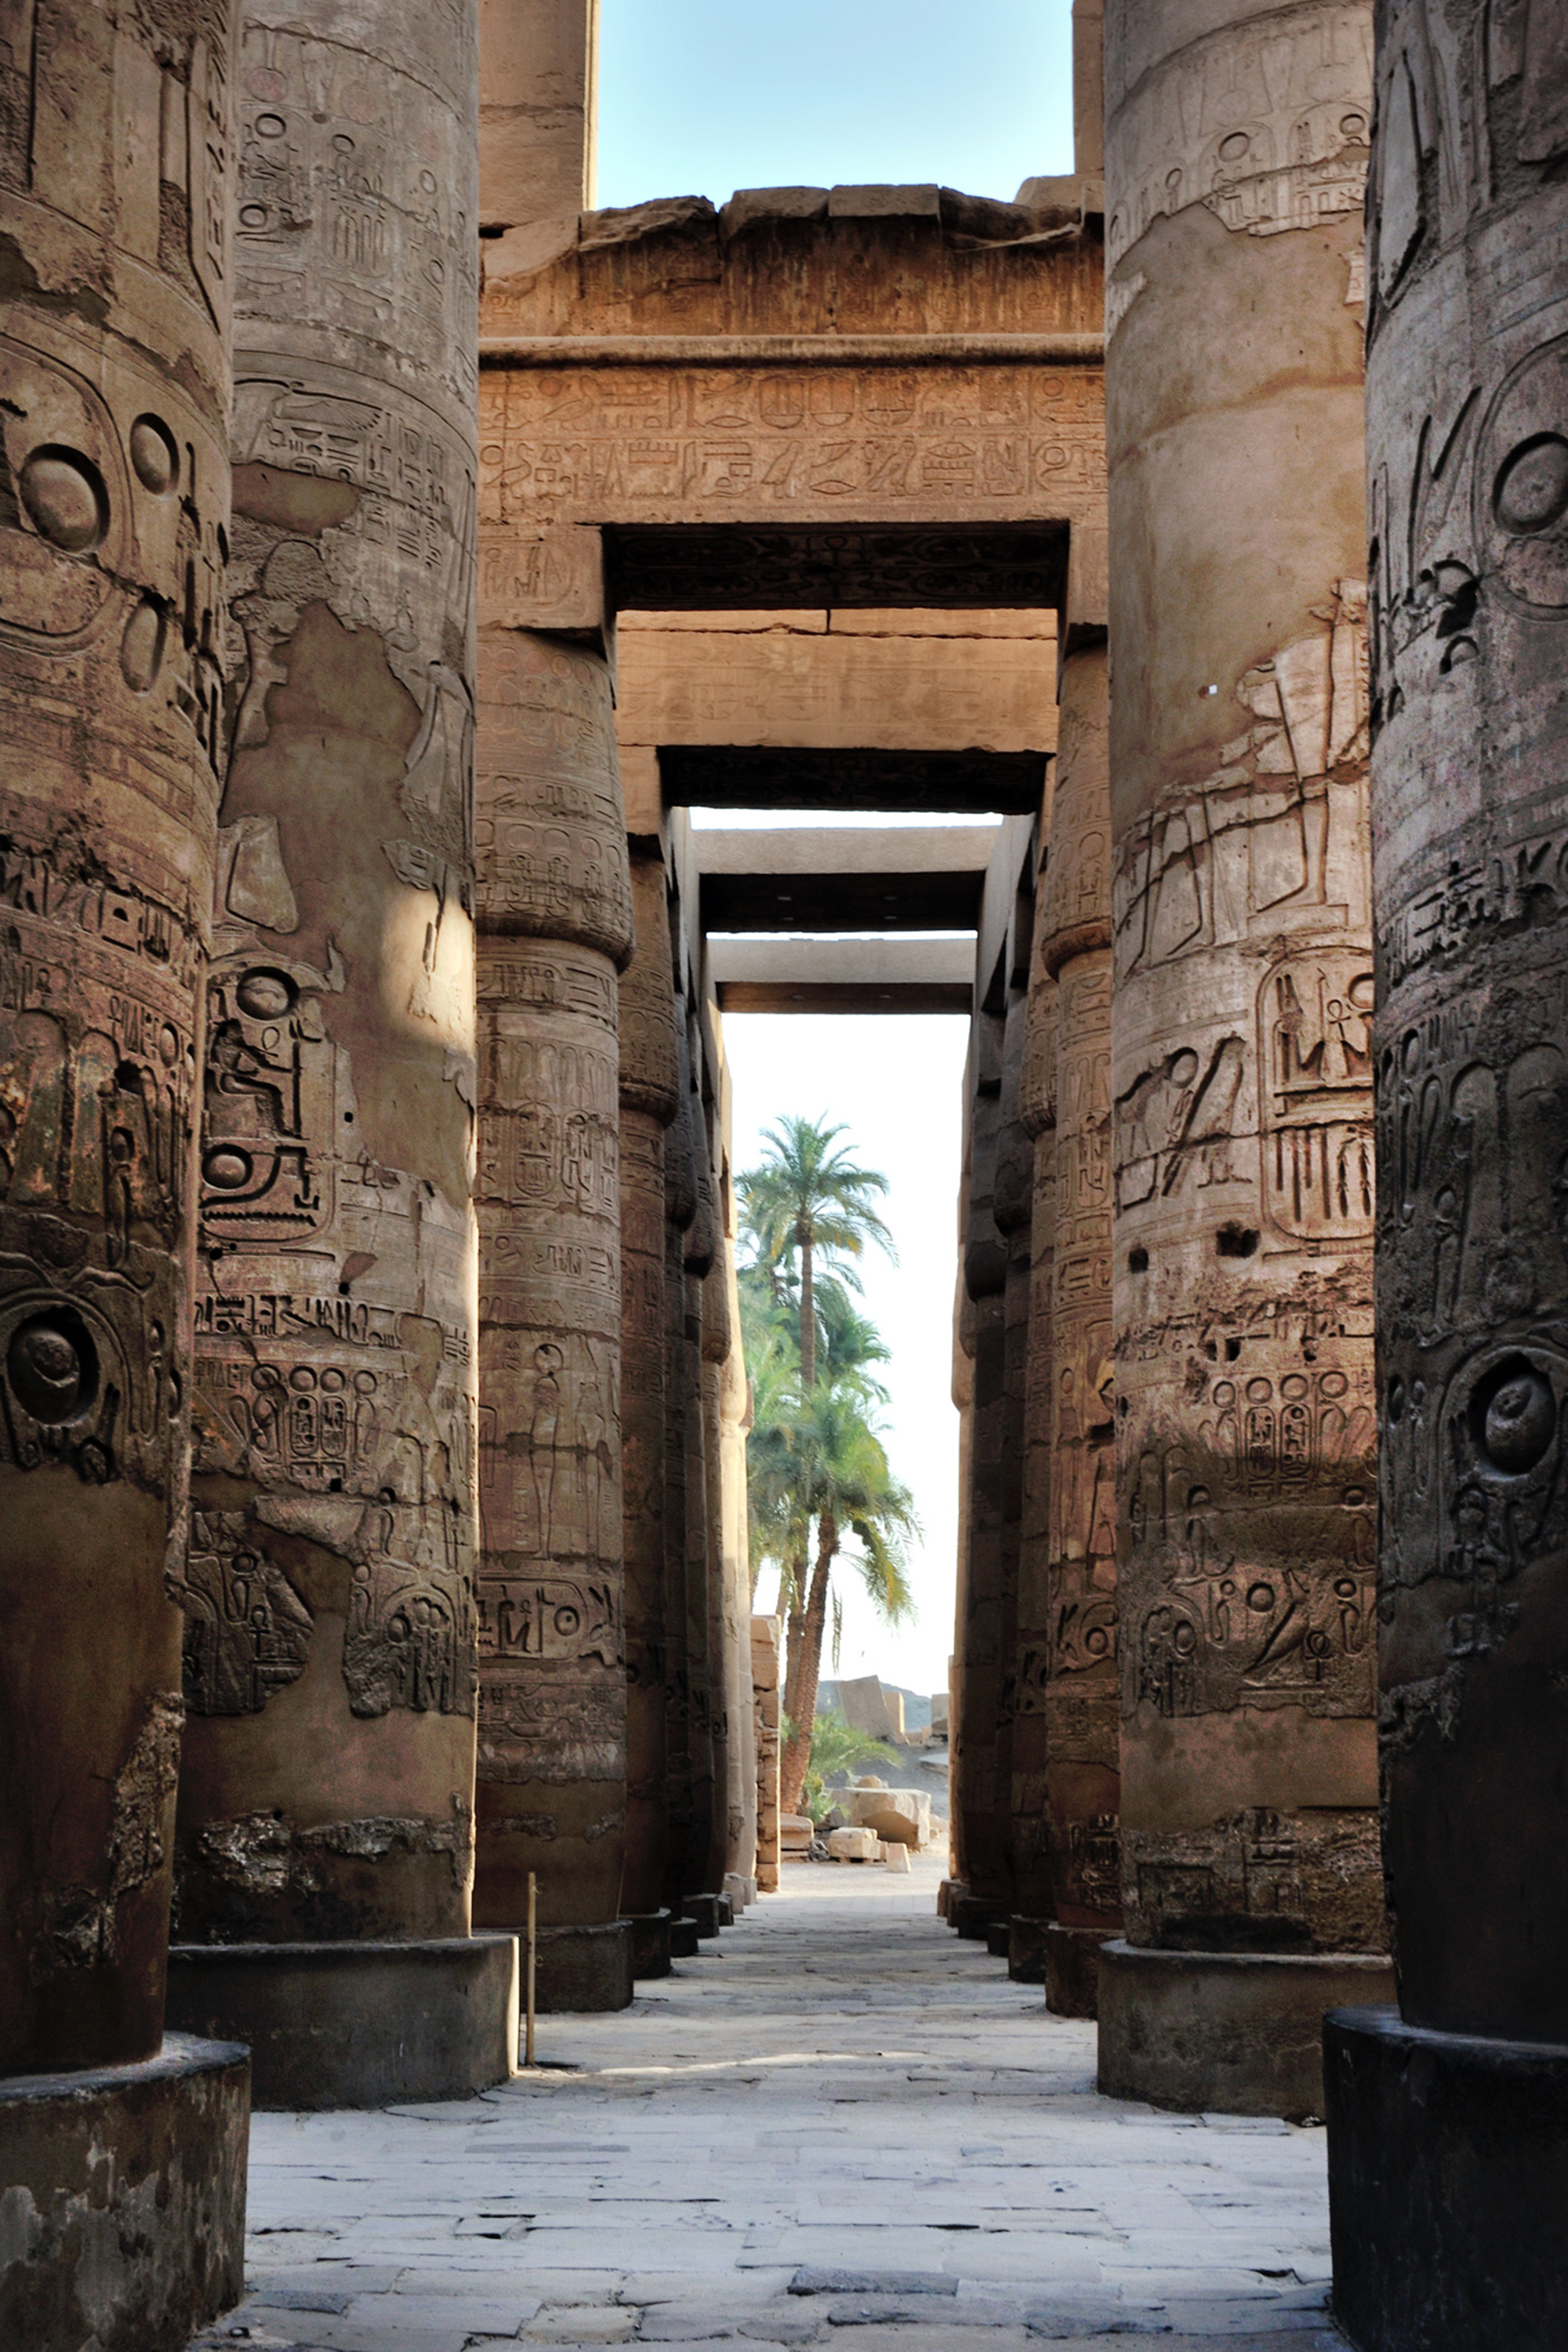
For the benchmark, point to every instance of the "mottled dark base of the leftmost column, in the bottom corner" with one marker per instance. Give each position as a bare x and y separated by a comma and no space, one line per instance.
128,2200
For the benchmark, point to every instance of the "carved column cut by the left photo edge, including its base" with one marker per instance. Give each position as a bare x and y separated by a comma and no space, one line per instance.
116,175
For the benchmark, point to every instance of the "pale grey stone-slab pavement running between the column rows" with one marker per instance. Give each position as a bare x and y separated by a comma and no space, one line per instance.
838,2127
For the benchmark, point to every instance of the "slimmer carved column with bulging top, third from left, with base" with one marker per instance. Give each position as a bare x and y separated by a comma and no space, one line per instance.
556,926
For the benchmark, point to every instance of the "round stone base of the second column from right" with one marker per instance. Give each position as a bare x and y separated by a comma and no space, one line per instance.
1235,2033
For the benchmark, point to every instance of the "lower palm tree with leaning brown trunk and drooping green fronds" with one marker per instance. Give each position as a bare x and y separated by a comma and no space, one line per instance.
843,1481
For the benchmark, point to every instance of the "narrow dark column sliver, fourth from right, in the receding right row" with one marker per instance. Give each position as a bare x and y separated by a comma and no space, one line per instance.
1033,1617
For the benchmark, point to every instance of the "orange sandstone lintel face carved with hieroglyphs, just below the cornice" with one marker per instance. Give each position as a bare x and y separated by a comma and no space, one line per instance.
669,443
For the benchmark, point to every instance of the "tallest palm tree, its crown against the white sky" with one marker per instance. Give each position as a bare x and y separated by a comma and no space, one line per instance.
810,1201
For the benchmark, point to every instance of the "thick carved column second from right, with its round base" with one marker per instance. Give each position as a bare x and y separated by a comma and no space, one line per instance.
1242,1053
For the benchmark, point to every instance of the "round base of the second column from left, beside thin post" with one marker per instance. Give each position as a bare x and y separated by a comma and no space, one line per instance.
356,2024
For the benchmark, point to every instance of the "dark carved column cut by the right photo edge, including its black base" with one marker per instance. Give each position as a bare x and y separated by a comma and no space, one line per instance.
1449,2120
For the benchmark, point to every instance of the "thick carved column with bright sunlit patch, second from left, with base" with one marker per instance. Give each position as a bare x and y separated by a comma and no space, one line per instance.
328,1577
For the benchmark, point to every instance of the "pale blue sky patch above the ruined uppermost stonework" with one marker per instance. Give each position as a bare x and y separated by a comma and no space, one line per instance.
702,98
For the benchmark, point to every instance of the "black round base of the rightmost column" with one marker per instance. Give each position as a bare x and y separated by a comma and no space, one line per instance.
1447,2189
